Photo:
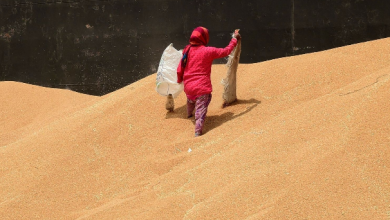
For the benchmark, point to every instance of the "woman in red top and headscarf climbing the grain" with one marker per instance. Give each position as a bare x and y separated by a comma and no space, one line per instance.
195,69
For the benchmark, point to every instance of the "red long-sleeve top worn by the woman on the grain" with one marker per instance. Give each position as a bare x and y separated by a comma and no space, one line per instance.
197,72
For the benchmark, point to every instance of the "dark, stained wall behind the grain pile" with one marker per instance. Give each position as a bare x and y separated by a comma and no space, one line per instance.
99,46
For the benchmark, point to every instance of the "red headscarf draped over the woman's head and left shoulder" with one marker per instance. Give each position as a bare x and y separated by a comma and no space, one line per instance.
199,36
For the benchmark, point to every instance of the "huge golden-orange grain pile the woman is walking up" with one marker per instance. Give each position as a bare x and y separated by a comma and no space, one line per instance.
309,138
